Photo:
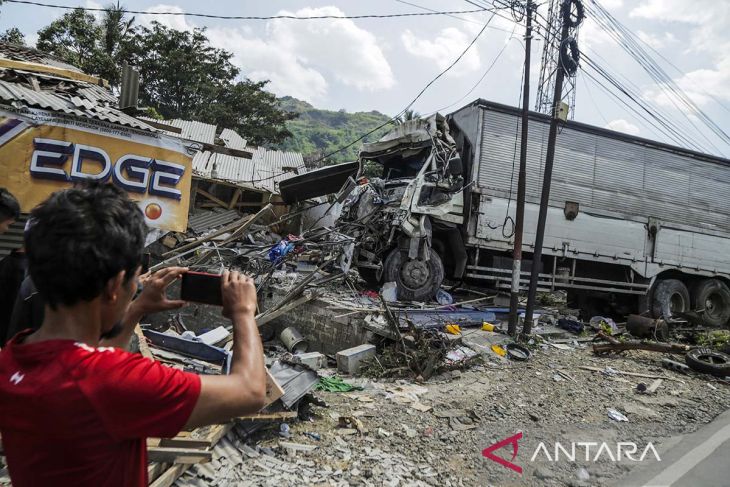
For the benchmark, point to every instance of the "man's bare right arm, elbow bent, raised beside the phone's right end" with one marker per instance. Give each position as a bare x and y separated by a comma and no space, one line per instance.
243,391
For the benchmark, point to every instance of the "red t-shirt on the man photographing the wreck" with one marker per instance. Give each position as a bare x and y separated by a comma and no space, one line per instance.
73,415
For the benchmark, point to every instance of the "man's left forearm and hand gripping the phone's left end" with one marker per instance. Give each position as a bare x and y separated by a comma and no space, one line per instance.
152,299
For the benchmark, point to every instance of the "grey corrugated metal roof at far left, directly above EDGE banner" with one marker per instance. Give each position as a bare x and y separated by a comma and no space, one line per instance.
20,96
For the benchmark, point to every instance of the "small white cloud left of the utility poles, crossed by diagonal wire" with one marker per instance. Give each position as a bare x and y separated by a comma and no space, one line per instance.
444,49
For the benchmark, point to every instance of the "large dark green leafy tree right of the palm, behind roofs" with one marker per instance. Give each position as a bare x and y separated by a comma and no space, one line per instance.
183,76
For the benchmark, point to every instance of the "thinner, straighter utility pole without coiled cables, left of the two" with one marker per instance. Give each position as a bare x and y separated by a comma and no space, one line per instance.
521,183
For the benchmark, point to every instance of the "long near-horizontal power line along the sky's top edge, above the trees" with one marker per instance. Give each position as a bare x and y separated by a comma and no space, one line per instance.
252,17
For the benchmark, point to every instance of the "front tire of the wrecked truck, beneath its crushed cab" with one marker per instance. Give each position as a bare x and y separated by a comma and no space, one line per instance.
417,280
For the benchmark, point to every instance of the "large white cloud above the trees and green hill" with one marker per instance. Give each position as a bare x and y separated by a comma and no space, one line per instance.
300,59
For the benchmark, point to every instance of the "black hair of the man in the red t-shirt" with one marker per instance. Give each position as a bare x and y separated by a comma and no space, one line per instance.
79,239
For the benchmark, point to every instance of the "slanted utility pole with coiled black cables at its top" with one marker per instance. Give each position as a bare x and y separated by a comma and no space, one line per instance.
546,182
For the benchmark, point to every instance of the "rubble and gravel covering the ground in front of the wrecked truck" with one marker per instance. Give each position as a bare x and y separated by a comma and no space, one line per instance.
375,391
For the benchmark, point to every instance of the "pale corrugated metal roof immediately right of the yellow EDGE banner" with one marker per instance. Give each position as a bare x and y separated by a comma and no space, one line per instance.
263,171
